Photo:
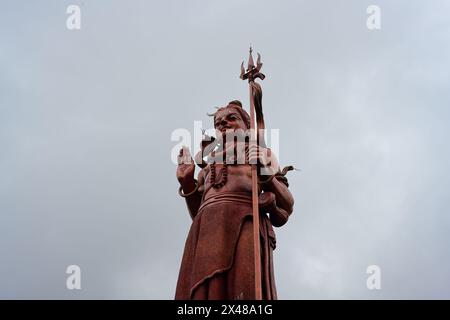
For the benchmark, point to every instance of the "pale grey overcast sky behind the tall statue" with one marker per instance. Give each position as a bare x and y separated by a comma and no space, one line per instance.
86,119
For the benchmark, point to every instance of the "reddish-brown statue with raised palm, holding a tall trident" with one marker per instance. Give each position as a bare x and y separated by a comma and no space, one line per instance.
219,255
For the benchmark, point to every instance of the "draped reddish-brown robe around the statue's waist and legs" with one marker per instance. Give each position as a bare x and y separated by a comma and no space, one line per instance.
218,260
